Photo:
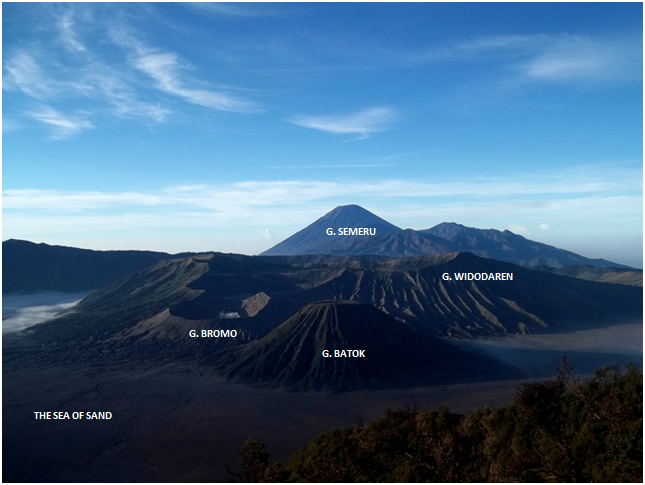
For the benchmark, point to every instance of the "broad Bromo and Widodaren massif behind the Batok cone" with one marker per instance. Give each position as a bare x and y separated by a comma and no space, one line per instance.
254,296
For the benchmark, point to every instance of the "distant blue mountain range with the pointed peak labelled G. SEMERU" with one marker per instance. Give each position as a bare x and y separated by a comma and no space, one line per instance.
446,237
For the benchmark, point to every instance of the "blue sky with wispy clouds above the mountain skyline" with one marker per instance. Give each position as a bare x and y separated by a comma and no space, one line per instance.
194,127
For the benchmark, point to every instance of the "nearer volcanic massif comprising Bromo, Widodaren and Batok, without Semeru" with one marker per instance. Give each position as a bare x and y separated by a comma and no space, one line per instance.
285,309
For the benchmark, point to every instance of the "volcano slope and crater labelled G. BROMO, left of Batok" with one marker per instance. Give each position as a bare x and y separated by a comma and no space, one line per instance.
157,307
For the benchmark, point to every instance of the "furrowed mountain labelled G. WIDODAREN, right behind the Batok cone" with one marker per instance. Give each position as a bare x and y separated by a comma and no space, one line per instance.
413,290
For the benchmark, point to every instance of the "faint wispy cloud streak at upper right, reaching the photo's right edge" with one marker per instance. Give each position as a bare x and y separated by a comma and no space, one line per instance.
553,57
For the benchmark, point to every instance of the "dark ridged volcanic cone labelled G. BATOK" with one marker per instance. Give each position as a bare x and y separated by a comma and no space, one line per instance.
292,354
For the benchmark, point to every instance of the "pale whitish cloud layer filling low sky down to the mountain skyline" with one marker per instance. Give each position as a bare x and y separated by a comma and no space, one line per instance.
586,197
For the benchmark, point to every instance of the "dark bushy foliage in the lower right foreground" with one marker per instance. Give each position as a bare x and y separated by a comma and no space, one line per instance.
558,430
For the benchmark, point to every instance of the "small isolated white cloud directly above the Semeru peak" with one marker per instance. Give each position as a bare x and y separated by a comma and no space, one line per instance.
362,123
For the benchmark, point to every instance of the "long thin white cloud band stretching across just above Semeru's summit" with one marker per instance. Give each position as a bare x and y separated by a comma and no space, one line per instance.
530,191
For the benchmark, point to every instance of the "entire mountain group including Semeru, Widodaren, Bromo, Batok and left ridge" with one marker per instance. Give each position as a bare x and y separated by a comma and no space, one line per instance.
329,292
